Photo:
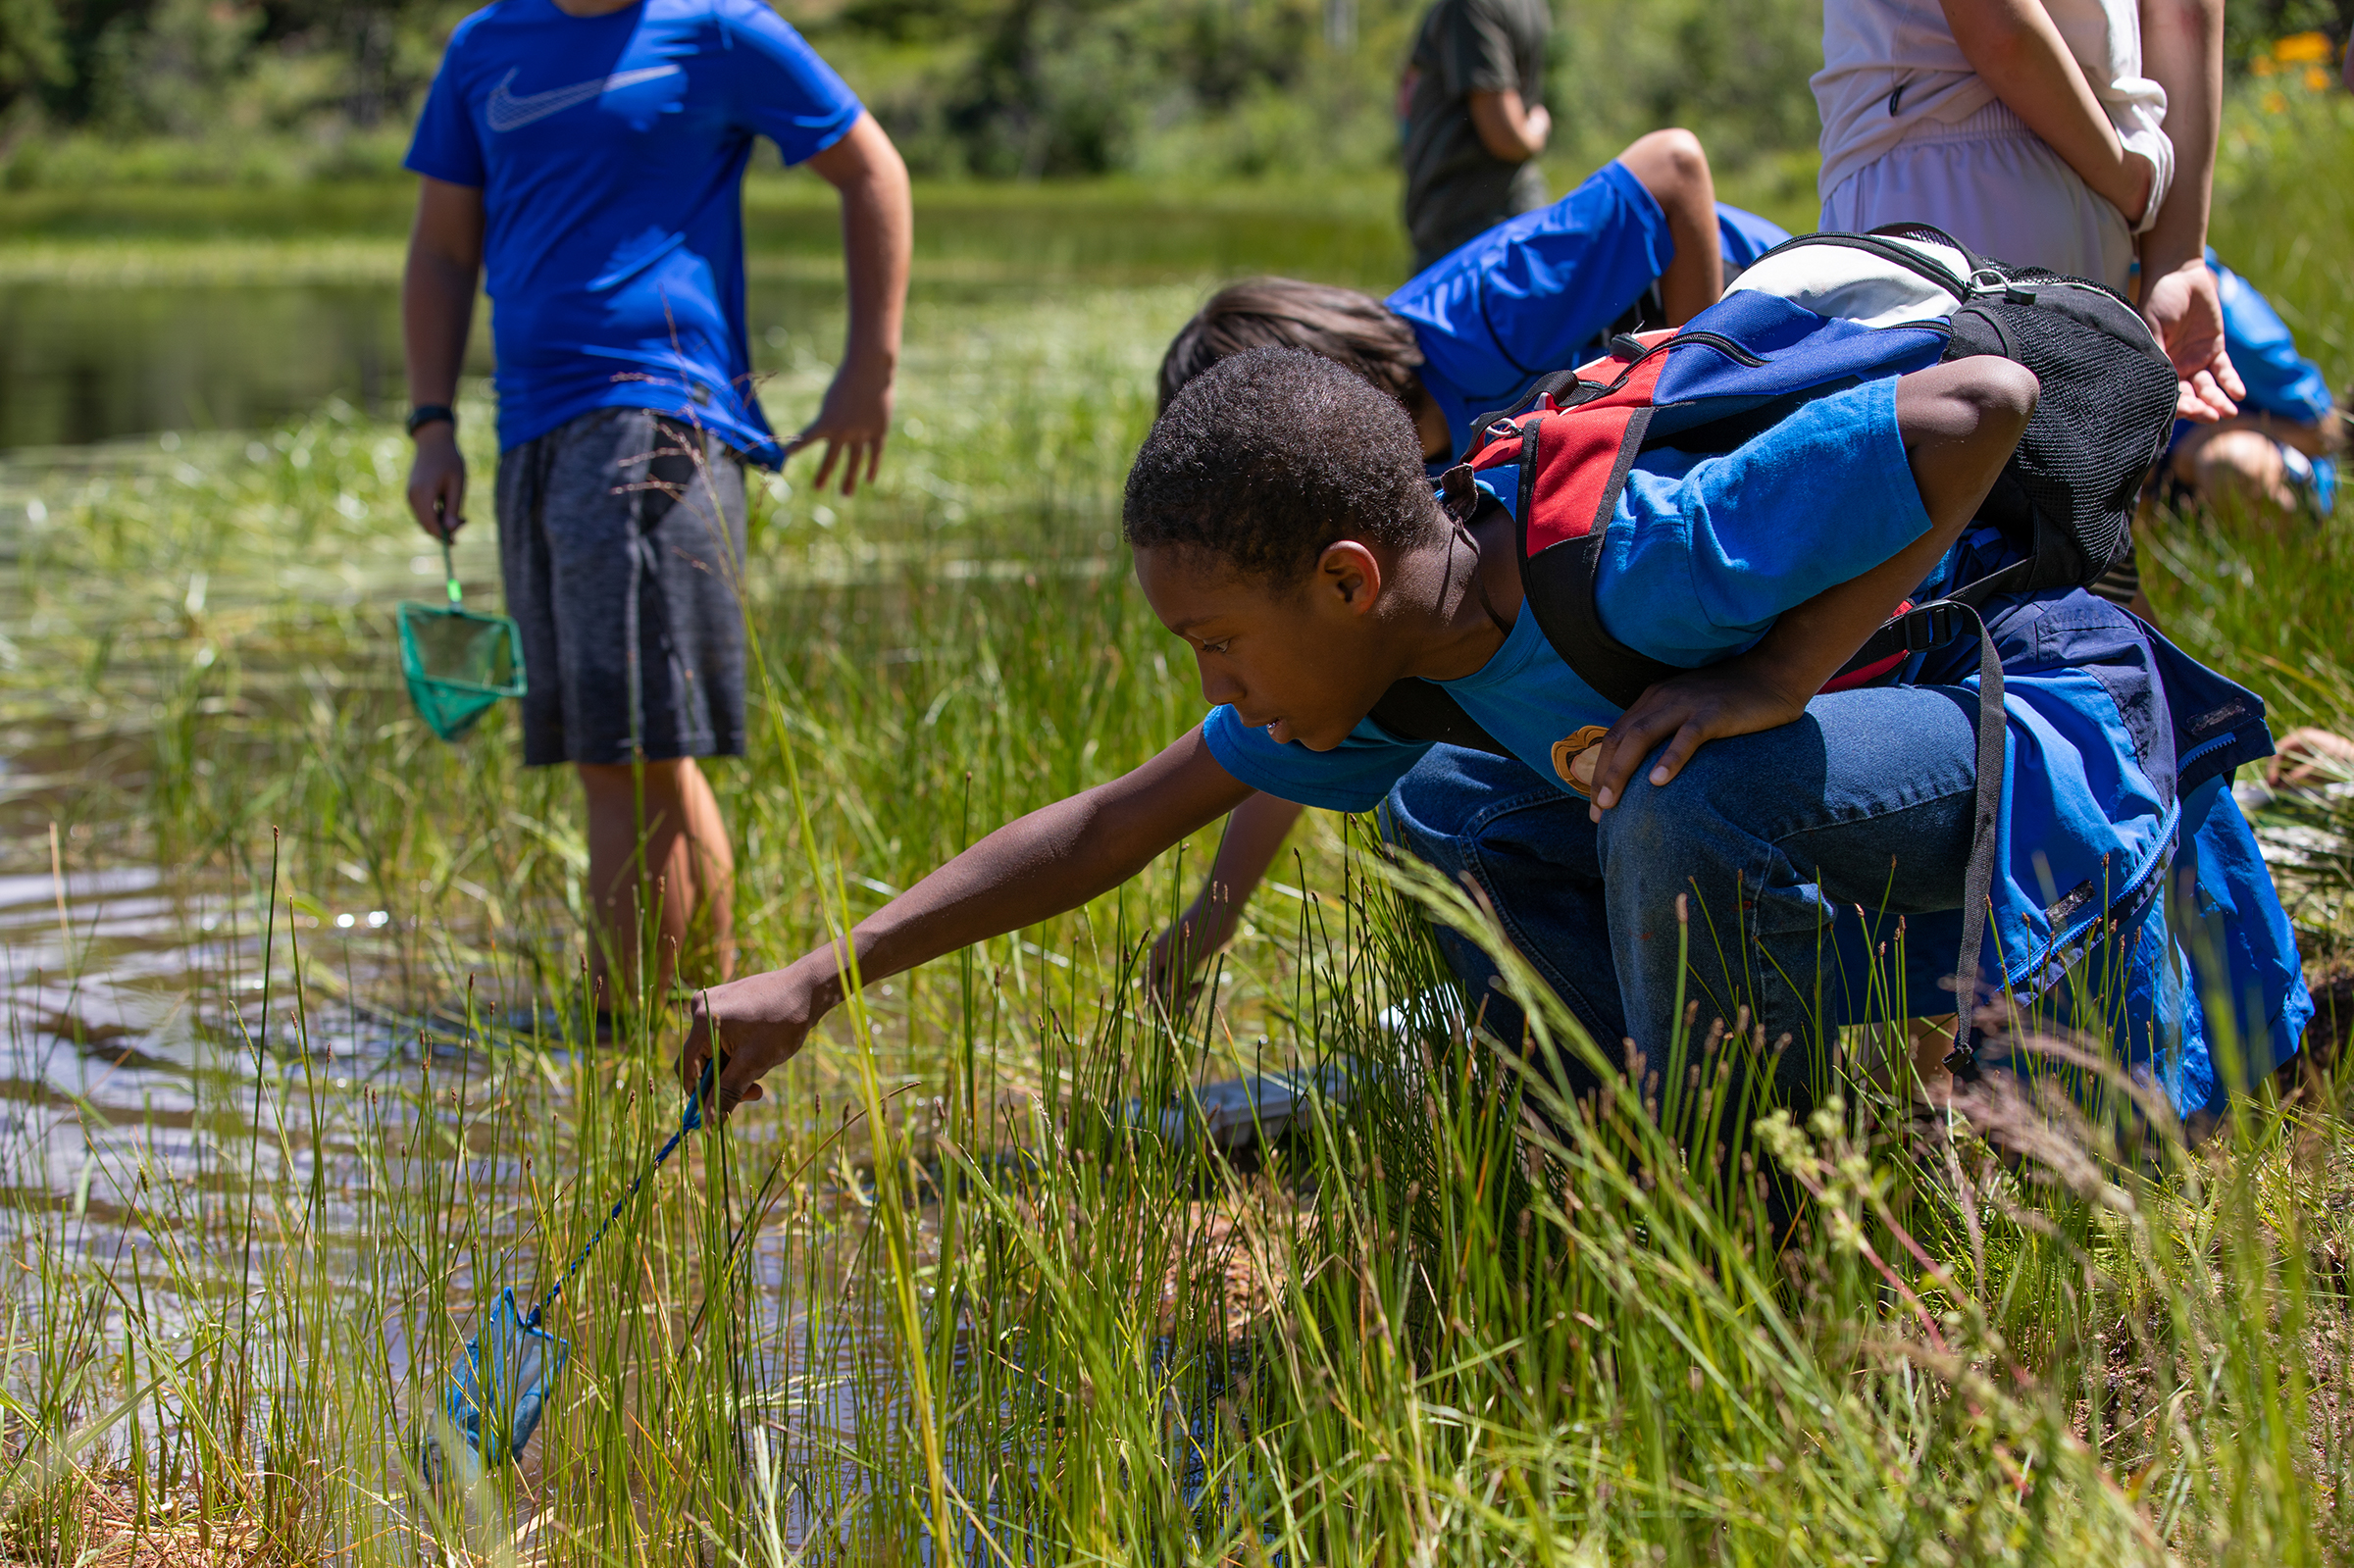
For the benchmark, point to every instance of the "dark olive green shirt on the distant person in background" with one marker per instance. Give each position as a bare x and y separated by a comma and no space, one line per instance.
1456,187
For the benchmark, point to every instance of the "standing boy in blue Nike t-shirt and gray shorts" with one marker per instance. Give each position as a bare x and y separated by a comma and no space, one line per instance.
592,157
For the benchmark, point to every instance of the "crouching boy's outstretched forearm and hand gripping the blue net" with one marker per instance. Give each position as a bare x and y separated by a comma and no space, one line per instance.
1042,865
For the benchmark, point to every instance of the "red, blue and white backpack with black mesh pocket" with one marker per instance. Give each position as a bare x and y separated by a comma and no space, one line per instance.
1816,317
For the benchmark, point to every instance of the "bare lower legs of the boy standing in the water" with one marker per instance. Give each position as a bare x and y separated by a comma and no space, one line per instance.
686,865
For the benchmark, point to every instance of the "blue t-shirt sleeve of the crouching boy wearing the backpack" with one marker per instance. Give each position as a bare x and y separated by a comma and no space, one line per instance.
1703,554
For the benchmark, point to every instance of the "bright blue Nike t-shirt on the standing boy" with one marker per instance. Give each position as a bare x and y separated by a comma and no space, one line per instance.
611,157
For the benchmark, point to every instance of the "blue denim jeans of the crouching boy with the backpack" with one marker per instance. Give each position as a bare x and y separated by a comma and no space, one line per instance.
1804,851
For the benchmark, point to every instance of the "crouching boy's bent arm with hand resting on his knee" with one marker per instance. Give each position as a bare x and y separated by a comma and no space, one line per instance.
1960,427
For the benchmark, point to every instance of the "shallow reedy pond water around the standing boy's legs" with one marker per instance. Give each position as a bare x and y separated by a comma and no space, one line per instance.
199,554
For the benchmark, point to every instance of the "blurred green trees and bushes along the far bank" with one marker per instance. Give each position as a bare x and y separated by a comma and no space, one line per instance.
1195,91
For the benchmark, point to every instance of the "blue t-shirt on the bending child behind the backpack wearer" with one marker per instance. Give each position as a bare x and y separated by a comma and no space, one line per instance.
1538,293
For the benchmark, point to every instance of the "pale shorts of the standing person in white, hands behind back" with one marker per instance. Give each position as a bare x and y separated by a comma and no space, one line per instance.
2000,190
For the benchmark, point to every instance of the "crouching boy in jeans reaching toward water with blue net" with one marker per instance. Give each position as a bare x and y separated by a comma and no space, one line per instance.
1286,531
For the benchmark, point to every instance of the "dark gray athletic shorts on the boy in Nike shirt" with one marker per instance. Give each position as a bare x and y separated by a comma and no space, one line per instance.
623,547
